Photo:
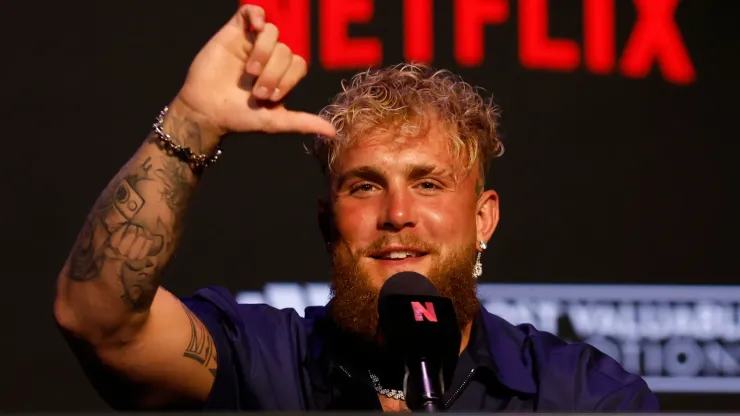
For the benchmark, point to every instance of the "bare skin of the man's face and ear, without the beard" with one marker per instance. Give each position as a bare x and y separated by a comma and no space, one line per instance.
388,184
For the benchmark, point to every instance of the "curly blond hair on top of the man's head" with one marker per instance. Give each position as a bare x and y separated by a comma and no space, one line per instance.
409,98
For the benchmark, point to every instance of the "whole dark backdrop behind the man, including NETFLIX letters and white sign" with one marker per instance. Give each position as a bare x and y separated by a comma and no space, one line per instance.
617,188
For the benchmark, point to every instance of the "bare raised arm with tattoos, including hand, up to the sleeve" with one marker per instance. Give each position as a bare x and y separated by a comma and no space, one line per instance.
141,347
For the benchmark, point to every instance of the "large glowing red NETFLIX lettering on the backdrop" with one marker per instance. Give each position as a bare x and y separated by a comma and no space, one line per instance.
655,38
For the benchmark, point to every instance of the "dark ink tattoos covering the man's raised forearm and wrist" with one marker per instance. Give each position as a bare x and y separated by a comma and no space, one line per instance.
134,225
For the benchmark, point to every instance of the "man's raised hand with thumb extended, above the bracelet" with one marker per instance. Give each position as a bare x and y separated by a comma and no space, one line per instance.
237,81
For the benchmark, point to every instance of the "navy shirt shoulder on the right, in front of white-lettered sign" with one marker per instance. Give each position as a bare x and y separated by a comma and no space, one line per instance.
569,369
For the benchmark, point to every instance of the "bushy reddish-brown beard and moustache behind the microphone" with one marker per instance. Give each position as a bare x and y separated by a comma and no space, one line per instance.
354,303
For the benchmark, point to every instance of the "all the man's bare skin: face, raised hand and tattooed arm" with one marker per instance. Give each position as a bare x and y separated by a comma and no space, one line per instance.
142,347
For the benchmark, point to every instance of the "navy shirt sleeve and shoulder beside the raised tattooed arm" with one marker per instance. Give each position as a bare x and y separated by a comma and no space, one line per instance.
259,353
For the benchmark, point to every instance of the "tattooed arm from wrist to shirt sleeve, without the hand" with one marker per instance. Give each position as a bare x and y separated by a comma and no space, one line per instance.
109,301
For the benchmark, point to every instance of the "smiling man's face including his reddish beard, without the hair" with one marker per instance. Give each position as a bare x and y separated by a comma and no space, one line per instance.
405,204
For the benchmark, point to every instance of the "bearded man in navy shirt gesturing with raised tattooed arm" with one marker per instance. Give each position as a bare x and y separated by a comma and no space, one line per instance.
404,151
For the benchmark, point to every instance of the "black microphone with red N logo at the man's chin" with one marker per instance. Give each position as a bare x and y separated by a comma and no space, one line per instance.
420,326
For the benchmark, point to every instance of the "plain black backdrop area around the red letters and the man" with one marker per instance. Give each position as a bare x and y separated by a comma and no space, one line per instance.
606,178
